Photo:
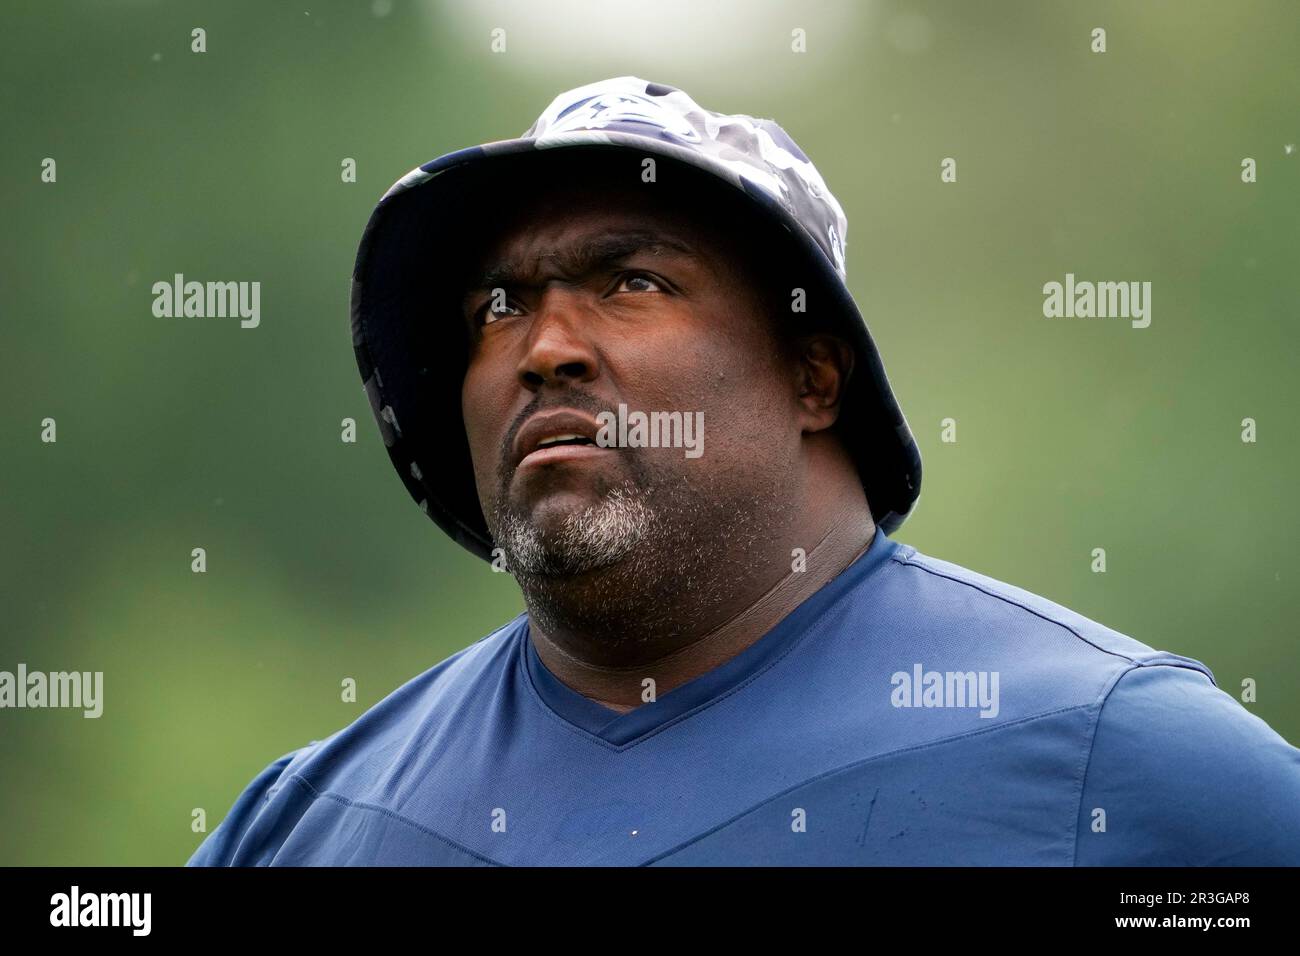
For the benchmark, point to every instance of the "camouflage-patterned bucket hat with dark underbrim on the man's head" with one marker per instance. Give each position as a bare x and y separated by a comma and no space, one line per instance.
410,338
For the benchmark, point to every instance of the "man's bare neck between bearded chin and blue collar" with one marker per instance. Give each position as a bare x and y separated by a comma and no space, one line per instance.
683,633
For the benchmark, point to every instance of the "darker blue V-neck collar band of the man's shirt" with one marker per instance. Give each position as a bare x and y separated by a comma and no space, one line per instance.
623,730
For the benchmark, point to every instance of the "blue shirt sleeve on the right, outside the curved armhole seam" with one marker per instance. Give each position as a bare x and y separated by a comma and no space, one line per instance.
1184,775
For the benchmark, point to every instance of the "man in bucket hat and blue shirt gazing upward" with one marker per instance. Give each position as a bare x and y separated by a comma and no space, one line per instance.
618,360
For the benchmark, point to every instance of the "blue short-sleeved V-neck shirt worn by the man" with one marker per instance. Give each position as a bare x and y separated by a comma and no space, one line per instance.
911,712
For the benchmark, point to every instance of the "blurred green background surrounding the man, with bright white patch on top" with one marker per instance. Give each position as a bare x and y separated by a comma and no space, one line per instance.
176,434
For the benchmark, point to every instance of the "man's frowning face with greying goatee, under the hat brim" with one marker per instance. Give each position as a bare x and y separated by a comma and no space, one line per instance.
595,299
